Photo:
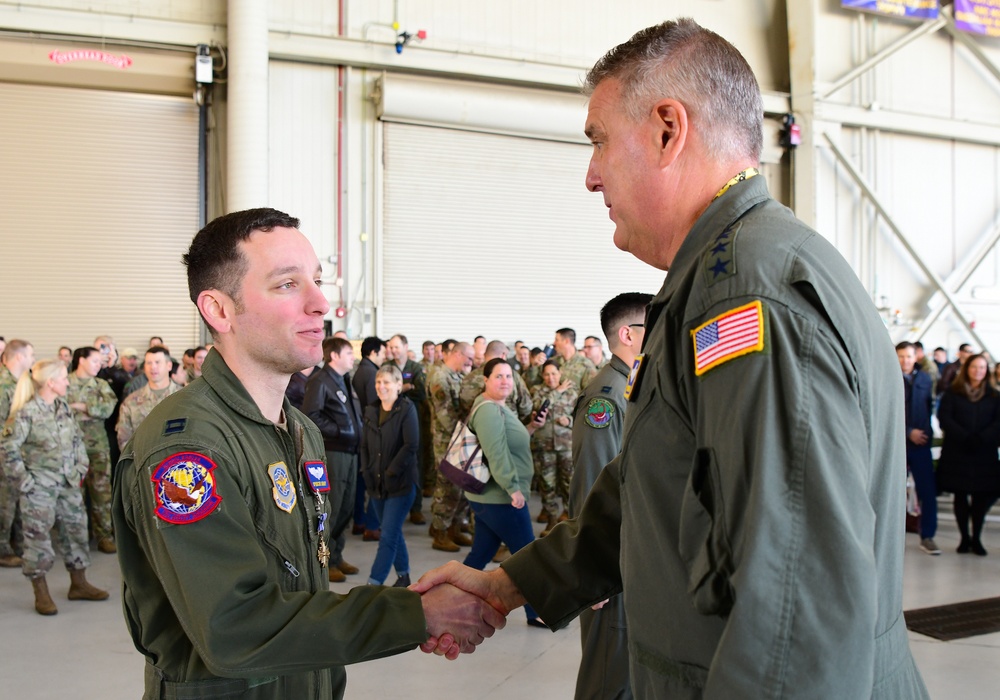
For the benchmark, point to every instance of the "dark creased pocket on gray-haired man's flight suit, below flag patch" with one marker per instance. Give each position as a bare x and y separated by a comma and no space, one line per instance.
704,545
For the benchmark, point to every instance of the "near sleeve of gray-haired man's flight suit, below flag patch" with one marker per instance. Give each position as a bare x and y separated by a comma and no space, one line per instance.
777,529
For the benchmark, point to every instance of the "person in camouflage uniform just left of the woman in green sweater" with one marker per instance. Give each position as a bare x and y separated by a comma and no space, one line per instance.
444,387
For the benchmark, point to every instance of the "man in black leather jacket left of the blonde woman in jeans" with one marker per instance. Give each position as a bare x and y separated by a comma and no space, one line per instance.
331,404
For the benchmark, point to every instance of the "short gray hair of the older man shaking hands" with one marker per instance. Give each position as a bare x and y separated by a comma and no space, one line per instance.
686,62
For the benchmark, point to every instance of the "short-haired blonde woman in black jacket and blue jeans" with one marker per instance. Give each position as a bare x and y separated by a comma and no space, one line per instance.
389,440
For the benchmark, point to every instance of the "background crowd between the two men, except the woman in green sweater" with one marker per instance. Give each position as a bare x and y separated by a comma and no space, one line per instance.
384,443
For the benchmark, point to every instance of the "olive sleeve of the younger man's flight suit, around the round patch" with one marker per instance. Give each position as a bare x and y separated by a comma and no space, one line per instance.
245,614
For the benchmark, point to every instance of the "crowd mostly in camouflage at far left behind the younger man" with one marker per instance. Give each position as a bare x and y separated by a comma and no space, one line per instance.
65,420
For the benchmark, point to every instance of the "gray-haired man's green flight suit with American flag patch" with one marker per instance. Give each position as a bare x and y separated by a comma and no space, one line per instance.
754,517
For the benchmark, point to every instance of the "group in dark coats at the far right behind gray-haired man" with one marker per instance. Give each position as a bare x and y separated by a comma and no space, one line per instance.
965,396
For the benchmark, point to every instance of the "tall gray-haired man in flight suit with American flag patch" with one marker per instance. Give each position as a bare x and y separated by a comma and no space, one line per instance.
754,518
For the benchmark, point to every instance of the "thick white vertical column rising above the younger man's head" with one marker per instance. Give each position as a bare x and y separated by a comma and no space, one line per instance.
247,165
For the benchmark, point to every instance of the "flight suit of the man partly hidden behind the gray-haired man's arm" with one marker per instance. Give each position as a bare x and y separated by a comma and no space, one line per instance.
597,439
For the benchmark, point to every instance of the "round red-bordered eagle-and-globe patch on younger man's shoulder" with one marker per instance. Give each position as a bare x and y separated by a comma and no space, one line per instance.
184,486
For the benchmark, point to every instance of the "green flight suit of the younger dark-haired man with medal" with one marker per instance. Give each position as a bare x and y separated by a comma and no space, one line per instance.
235,600
